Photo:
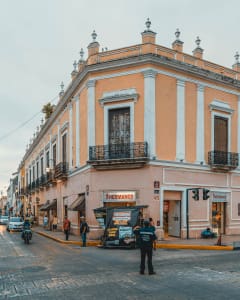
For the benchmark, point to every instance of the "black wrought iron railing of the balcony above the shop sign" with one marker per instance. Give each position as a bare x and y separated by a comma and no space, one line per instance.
118,151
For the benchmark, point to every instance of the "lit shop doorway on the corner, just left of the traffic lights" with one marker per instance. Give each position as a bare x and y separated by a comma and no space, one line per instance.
174,218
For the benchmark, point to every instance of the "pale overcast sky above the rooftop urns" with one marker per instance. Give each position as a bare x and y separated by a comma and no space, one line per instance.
41,39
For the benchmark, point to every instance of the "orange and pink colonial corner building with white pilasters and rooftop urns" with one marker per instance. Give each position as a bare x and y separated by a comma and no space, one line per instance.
141,125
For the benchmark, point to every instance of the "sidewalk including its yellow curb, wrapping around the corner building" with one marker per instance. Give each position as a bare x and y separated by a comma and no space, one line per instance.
228,242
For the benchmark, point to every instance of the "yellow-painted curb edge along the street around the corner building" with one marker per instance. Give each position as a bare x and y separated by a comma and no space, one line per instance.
159,246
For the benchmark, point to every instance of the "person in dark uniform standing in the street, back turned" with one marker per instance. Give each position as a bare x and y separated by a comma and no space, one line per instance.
146,239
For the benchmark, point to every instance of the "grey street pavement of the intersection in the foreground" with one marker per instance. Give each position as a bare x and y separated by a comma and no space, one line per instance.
49,270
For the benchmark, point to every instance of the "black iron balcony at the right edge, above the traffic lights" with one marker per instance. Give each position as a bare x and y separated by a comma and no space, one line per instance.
223,161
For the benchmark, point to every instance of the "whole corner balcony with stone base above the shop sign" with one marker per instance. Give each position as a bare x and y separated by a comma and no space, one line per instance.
119,156
